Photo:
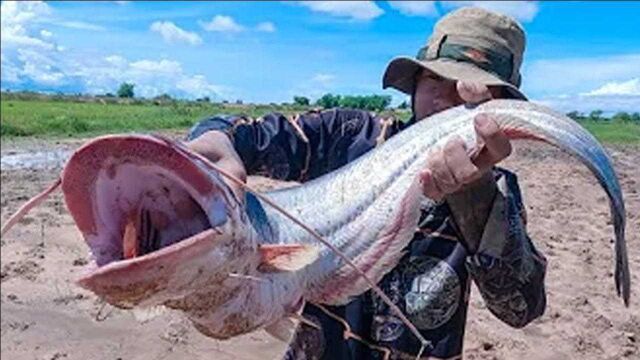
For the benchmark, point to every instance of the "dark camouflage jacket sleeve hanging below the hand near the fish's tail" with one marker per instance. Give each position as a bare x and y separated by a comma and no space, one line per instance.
507,268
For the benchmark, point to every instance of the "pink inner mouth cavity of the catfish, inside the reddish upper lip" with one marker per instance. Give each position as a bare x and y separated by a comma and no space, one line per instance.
142,210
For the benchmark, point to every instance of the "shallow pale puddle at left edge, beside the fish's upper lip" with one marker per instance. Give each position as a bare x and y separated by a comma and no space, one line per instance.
54,159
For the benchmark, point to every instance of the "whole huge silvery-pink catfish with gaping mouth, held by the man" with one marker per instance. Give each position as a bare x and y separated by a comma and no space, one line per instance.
164,228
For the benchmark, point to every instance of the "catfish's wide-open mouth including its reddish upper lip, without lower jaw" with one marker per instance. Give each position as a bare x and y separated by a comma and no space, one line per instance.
131,196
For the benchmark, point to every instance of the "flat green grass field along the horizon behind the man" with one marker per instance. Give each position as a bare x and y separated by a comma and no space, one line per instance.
58,119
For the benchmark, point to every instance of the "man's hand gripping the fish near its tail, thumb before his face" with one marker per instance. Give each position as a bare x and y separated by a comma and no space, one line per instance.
453,167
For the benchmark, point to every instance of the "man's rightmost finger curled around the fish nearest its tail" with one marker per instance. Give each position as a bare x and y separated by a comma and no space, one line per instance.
496,144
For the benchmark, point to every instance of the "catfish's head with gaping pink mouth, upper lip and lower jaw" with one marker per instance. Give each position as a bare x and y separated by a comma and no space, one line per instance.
159,223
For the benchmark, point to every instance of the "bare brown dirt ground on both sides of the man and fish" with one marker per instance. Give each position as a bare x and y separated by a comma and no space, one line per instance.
46,316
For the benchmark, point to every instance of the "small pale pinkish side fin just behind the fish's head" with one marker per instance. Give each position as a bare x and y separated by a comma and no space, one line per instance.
290,257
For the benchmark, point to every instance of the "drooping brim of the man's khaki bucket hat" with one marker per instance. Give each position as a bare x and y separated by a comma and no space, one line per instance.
401,74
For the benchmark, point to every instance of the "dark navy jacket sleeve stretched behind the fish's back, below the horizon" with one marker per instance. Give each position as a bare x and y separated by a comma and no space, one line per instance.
302,147
